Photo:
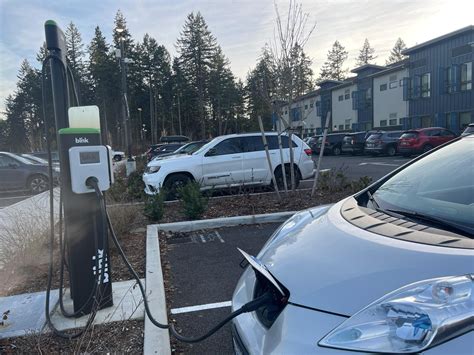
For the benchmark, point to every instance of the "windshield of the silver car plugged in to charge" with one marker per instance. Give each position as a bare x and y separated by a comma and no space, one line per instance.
441,185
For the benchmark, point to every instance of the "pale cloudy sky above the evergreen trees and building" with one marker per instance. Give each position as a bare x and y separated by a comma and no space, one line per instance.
242,27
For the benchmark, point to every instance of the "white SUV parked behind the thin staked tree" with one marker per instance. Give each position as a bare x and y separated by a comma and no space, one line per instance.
231,160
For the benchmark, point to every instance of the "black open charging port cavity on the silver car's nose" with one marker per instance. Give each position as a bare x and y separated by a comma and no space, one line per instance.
269,313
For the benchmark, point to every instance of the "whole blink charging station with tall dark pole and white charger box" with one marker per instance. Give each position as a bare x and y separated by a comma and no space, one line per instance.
84,161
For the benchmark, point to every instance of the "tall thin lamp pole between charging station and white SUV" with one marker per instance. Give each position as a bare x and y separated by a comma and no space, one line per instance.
131,164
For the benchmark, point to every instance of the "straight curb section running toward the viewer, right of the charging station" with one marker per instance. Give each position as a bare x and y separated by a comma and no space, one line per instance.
156,340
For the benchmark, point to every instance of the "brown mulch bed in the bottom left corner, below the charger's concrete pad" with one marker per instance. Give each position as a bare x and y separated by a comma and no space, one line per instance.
118,337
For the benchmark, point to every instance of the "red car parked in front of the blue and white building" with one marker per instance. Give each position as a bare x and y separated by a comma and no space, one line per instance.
421,140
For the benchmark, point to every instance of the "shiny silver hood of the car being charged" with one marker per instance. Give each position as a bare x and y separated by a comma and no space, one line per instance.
334,266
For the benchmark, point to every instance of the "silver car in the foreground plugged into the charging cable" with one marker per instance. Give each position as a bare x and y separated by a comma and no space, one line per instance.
388,270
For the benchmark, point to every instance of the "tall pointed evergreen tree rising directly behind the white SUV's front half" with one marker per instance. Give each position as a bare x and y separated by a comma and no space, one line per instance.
196,46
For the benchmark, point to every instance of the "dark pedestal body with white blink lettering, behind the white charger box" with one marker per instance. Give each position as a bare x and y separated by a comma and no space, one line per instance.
84,225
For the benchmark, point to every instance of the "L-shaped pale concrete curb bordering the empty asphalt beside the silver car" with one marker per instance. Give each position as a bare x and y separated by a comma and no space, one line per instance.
156,340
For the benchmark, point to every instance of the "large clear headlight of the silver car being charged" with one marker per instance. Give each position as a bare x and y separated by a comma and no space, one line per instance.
410,319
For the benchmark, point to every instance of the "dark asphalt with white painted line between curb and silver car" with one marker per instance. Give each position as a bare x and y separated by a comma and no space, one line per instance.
205,267
